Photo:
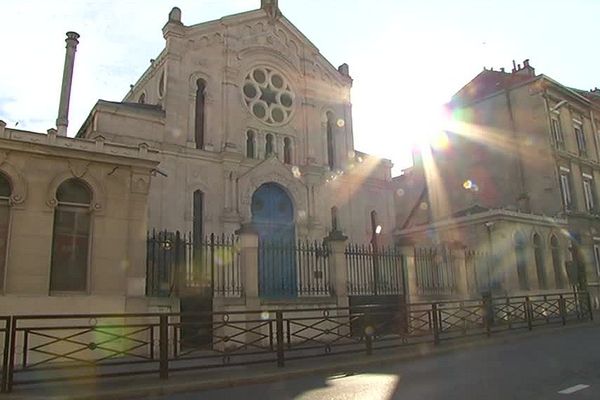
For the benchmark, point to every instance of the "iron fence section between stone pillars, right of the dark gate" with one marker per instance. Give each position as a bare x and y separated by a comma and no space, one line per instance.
435,271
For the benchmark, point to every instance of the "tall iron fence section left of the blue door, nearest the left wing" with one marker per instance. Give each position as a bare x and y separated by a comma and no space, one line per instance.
176,262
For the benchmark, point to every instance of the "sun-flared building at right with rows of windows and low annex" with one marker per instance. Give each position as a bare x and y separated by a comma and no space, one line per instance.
515,175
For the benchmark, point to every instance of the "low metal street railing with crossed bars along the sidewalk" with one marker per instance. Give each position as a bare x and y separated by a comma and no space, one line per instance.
71,348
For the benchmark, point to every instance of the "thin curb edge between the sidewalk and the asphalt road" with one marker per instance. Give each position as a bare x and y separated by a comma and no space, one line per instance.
409,352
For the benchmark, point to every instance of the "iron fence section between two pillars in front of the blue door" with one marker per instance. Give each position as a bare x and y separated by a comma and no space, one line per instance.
288,269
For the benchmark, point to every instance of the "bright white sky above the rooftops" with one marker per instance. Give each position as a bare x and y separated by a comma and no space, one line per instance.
406,57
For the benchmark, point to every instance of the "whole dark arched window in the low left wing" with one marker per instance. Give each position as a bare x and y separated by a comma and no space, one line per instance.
70,237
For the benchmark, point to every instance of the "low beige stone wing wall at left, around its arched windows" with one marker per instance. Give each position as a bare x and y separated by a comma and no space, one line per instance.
118,178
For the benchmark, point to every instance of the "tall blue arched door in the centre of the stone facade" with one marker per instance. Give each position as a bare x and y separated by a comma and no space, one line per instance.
273,219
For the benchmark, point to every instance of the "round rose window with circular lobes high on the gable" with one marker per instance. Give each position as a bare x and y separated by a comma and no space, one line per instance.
268,95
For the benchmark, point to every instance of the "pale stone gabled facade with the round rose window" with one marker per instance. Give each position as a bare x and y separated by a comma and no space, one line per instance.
257,74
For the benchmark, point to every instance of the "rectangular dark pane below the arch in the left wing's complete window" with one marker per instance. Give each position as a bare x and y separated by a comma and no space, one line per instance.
70,249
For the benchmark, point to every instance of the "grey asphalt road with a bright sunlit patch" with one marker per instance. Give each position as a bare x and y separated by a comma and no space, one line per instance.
533,367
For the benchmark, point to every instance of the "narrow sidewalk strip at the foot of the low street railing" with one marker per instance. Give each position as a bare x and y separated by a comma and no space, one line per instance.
150,385
